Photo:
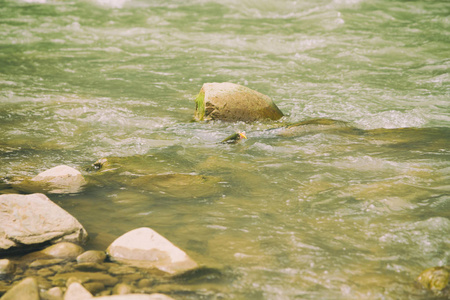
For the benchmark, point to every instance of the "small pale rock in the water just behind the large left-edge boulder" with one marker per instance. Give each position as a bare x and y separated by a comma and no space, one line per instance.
61,179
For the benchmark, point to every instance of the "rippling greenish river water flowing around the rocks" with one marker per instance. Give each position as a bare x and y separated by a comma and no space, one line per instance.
322,214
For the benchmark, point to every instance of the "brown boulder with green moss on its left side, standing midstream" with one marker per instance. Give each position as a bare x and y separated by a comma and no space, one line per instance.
232,102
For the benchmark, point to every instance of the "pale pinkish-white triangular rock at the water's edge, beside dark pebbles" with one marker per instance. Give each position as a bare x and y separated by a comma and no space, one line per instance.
145,248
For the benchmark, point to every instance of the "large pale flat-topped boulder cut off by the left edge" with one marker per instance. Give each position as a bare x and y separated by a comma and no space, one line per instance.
28,221
